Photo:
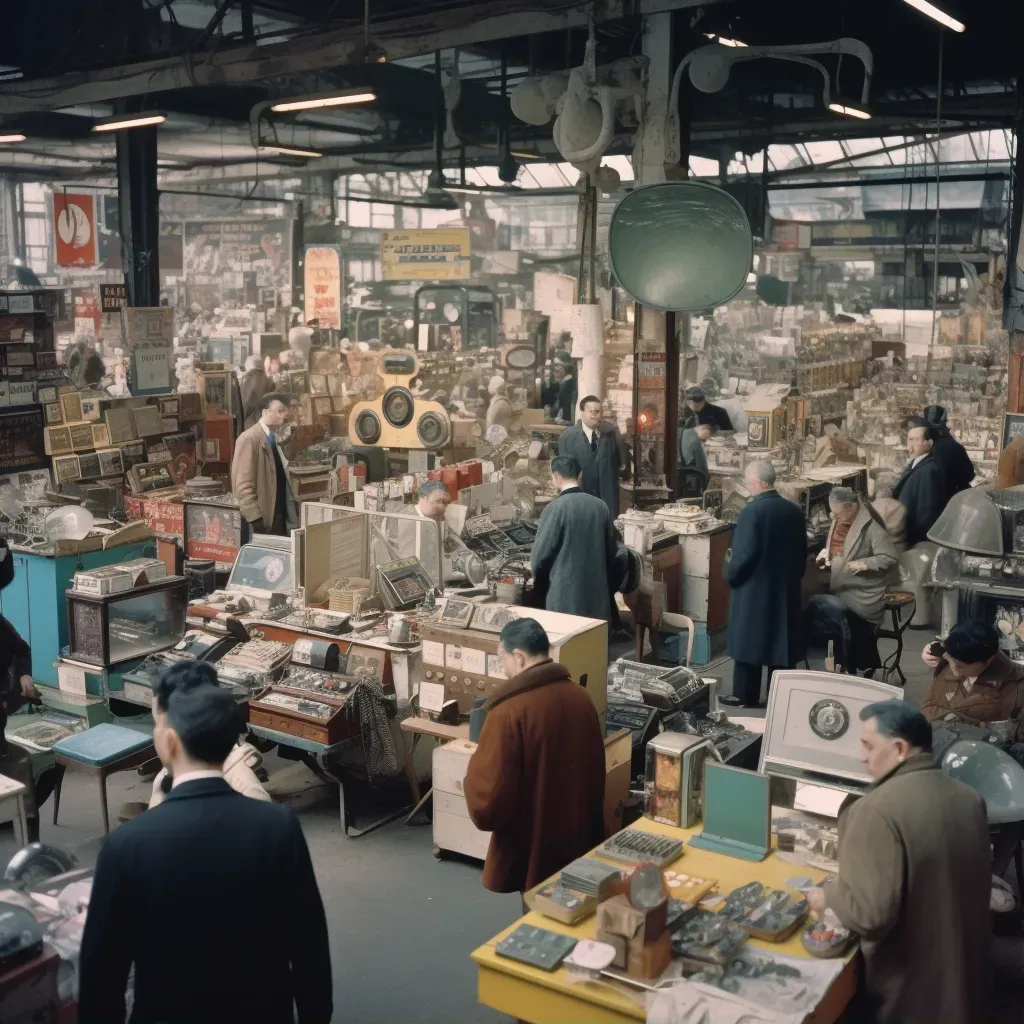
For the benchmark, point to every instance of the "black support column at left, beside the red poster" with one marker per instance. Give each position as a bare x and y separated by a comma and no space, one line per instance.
139,207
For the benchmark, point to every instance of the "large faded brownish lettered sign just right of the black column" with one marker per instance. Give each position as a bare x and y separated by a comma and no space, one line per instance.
227,259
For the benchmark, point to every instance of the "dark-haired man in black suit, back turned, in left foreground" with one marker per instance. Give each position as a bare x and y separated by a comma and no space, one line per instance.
185,890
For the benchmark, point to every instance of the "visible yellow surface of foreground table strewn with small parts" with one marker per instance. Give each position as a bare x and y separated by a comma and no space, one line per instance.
550,998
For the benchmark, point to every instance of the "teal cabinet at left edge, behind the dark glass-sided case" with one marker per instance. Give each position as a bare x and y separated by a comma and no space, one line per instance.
36,605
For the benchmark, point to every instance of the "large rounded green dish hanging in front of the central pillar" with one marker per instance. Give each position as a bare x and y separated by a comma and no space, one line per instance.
680,245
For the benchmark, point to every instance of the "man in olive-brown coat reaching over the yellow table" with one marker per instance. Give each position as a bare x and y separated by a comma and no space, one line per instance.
915,875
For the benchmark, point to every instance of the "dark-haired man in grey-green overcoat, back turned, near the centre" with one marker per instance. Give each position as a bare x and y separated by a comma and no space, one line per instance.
575,548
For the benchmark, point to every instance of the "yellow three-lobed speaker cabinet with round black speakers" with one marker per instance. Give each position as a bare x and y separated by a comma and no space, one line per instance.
399,419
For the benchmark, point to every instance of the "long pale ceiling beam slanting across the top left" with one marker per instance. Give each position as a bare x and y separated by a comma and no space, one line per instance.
406,37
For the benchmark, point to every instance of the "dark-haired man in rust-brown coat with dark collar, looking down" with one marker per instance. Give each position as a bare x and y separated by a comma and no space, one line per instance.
537,780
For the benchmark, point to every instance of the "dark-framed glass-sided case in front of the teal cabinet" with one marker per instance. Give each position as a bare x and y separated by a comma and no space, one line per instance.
109,629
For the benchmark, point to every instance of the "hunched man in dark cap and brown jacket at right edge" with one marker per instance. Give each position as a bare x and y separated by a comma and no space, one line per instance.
973,681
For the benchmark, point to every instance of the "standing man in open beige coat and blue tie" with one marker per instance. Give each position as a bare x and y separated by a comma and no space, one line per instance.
260,472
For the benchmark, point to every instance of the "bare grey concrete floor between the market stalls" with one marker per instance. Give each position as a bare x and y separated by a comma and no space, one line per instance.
402,924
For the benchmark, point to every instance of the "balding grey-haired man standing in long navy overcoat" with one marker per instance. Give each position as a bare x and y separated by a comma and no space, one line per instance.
764,570
